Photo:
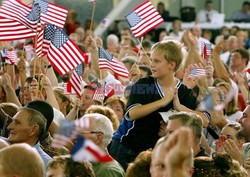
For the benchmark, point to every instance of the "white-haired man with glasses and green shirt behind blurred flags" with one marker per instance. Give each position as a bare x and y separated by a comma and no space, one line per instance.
101,132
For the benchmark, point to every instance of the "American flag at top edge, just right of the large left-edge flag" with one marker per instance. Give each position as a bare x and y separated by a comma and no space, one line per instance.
52,13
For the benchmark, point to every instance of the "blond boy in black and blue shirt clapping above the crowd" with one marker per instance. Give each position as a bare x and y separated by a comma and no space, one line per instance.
160,92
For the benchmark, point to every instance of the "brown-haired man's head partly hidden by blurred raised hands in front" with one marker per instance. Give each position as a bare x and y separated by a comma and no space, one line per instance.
186,119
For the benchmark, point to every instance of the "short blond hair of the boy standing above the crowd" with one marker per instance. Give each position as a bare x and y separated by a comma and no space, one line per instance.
171,50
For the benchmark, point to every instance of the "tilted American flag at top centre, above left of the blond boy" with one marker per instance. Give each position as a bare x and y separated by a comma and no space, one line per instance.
143,19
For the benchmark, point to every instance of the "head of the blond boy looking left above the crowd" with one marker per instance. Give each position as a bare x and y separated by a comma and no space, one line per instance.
166,58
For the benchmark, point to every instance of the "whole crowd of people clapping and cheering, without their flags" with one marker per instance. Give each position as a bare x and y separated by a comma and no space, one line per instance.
163,120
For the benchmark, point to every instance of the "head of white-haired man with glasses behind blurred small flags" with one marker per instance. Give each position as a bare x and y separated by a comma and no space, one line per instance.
100,130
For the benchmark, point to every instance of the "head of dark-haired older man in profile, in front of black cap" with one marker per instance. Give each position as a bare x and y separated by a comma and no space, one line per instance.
28,126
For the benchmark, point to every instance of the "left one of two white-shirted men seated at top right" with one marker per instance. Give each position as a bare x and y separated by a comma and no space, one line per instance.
205,15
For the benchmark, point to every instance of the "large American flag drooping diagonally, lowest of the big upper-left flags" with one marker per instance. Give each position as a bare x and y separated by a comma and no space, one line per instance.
61,51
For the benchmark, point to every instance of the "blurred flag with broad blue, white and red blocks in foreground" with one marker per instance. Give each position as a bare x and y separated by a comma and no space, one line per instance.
87,150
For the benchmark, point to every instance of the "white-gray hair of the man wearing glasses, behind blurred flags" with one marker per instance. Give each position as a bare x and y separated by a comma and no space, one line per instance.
102,124
